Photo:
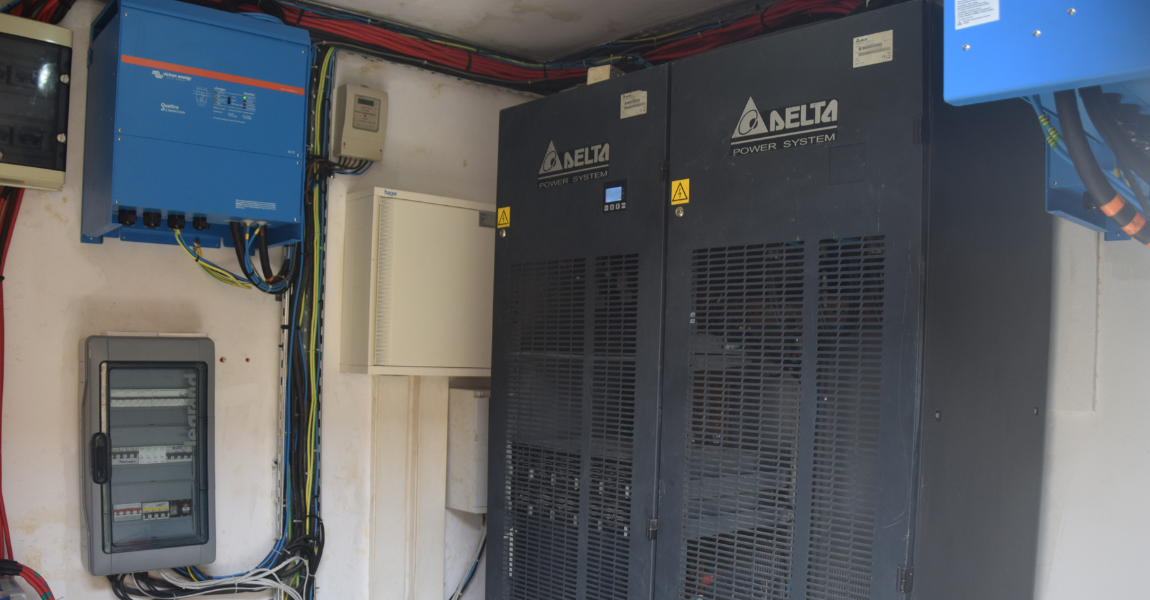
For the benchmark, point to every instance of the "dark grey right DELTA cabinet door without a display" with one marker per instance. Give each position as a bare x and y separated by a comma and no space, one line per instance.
792,358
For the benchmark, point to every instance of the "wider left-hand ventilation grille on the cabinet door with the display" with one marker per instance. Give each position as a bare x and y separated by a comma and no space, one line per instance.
545,428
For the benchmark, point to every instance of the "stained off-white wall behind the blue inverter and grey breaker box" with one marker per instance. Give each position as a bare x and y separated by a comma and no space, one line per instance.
442,140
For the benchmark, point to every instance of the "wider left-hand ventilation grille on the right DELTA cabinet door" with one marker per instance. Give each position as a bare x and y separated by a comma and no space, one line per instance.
742,437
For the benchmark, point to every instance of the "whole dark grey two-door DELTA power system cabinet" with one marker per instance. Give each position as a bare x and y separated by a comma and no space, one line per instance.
854,330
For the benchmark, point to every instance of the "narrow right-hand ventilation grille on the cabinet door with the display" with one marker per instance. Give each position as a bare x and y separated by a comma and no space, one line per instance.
617,283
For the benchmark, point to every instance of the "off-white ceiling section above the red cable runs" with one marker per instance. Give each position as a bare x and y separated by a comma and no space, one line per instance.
535,29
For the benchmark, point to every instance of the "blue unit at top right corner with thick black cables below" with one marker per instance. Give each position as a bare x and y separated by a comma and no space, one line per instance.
995,50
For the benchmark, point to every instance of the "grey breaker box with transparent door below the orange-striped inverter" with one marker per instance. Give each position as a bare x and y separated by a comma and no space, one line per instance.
148,439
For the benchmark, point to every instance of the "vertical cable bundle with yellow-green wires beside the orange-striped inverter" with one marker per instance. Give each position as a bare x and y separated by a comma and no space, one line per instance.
289,570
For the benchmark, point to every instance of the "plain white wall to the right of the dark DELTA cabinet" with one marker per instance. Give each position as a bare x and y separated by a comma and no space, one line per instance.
1095,524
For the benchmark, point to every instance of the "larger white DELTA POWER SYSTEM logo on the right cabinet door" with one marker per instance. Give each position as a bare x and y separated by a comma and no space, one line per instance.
785,128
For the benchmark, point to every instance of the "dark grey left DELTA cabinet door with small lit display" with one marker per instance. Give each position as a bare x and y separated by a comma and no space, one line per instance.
576,359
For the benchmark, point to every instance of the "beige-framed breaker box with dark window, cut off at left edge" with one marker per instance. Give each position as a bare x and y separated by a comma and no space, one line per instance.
35,73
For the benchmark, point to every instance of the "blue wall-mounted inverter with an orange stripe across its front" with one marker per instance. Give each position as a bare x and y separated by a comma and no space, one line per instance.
194,114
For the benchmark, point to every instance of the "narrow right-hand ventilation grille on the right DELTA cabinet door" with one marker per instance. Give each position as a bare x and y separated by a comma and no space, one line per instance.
849,367
